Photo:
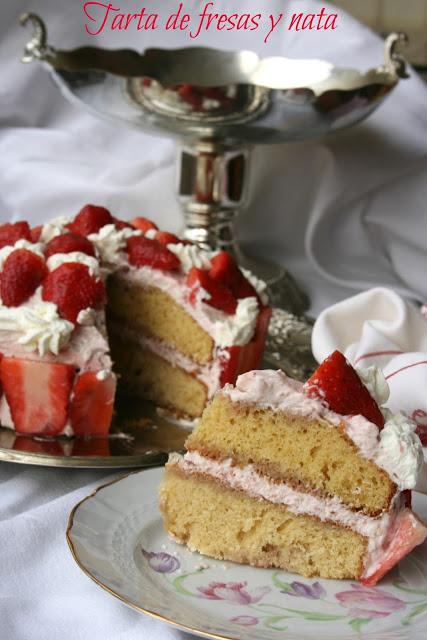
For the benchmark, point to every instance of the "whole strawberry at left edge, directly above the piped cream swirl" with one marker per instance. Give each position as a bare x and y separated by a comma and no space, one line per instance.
23,272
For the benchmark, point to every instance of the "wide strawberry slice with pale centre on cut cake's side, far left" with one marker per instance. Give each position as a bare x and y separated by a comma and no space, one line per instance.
37,394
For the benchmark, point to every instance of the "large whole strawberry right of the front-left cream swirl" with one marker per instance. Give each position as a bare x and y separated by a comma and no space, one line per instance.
72,289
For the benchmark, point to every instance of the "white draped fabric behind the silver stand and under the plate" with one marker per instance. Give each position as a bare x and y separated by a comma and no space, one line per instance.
343,214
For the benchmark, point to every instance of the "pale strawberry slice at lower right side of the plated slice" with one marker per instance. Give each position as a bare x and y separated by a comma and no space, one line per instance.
410,532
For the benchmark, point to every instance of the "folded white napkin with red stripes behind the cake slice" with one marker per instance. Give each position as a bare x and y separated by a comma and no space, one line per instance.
377,327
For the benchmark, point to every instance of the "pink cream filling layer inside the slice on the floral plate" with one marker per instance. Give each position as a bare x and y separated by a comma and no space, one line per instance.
376,530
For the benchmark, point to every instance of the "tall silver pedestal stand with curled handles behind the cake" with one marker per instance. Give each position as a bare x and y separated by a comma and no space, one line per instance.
219,104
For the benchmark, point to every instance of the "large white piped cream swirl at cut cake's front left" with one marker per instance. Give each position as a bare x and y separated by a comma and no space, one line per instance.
41,327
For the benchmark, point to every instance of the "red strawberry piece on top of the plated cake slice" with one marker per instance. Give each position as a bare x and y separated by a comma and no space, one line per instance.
337,383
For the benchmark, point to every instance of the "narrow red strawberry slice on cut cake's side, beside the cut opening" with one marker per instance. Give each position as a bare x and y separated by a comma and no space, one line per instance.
91,408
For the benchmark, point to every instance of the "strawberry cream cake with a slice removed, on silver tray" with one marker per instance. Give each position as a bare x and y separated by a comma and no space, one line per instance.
87,299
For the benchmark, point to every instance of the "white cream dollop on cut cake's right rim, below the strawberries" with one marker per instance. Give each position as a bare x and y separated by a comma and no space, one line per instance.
238,329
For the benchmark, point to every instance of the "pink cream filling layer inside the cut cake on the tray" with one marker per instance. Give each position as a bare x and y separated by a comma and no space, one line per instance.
208,374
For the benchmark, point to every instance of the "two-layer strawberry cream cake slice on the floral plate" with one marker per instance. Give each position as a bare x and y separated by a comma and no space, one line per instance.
307,478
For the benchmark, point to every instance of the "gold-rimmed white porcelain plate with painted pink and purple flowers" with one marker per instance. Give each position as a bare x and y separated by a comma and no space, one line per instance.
117,539
